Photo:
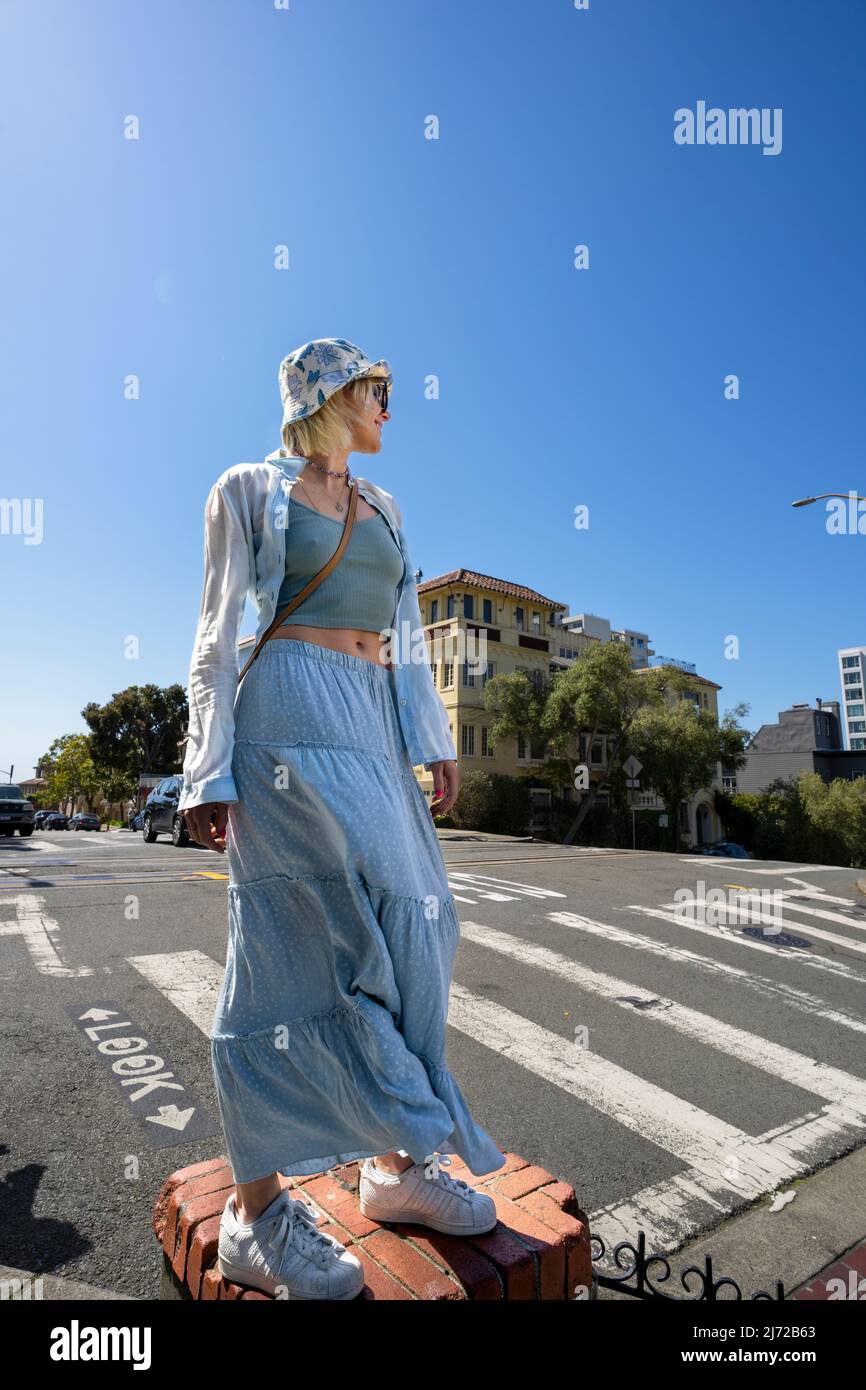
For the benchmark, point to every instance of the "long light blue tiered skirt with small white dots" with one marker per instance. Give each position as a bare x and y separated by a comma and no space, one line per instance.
329,1039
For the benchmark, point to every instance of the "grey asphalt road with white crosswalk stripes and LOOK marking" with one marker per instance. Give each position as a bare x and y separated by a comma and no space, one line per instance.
673,1058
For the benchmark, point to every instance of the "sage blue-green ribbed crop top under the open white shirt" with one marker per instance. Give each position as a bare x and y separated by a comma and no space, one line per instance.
362,591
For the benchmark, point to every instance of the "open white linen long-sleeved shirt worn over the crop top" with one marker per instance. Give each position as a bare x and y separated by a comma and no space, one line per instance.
247,519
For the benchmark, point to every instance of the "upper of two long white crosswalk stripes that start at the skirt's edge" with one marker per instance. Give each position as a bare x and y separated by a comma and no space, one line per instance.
828,1082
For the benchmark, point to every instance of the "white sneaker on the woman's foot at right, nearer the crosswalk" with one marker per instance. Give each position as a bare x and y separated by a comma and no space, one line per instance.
427,1196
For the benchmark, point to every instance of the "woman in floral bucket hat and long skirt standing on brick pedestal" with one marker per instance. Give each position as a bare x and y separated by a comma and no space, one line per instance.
329,1039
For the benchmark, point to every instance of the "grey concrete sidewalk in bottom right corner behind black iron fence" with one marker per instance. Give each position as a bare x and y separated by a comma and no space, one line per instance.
817,1245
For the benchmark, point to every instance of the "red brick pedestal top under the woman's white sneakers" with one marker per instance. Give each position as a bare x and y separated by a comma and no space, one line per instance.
539,1250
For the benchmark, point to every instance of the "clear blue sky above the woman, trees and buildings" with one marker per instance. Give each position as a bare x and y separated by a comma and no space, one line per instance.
262,127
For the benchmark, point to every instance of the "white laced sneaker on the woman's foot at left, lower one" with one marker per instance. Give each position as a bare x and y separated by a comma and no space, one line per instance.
283,1254
